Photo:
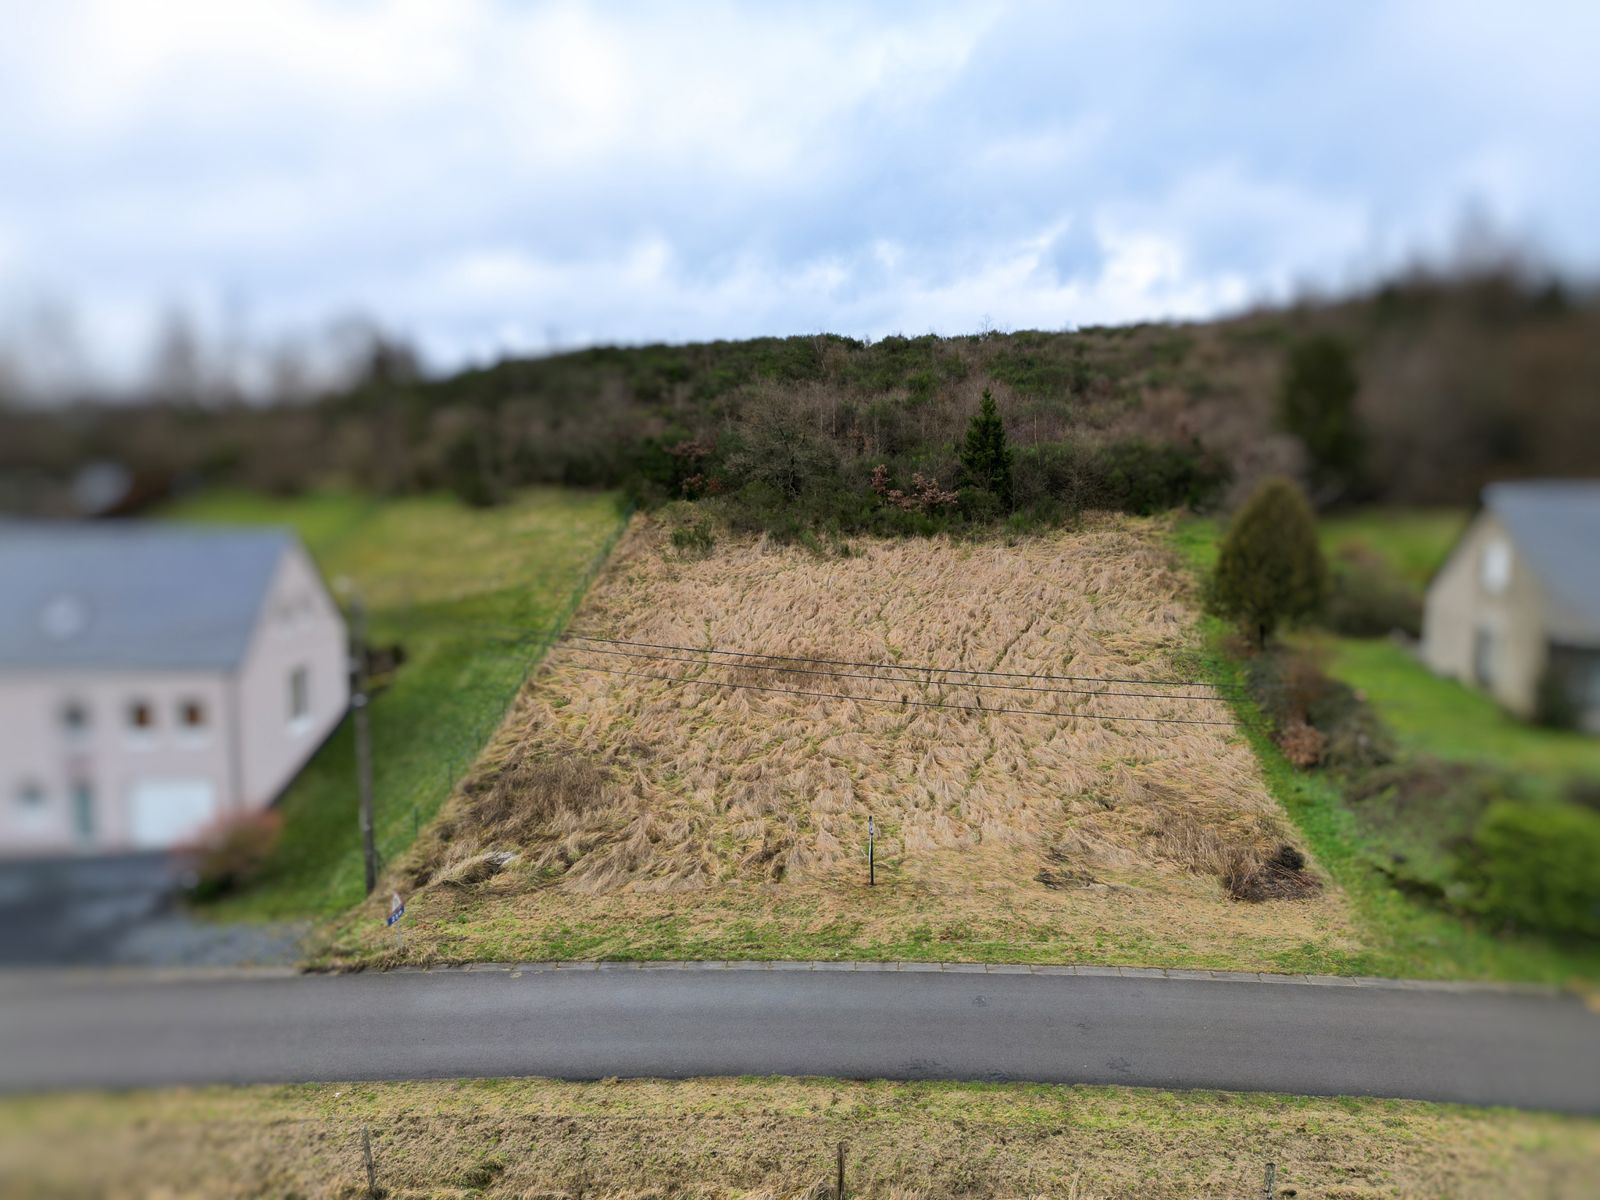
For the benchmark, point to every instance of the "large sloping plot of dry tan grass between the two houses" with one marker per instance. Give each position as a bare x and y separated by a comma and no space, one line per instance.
620,815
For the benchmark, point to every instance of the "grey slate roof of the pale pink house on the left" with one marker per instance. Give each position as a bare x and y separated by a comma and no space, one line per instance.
132,594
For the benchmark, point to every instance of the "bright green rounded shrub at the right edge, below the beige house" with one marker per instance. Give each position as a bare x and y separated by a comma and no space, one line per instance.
1537,866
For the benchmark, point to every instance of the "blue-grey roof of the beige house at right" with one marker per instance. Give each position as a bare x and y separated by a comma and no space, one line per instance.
1556,529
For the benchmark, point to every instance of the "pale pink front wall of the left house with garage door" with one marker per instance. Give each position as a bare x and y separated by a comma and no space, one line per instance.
46,759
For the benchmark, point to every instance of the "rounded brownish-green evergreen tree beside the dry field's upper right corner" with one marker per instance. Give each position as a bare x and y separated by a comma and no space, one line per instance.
1271,566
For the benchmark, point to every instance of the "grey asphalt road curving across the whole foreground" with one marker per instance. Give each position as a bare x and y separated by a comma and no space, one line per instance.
1479,1047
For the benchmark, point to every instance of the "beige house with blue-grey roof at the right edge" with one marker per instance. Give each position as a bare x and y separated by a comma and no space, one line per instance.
1516,609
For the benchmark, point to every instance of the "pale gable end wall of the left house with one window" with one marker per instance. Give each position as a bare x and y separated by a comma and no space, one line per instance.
300,630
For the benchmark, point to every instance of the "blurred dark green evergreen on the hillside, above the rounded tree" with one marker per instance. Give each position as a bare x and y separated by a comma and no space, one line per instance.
1318,406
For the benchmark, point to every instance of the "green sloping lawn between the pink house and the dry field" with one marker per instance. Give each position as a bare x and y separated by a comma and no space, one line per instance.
473,598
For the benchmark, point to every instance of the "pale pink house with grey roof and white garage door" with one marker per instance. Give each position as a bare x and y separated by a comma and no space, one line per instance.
156,679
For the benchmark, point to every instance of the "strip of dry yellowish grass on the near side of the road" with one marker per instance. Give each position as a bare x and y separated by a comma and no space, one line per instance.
778,1138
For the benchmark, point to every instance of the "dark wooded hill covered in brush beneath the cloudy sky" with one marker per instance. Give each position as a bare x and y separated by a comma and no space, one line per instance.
1458,382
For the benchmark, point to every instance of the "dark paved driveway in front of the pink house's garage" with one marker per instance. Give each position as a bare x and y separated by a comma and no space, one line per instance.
121,911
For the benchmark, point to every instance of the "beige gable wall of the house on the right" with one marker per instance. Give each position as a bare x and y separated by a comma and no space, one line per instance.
1470,599
